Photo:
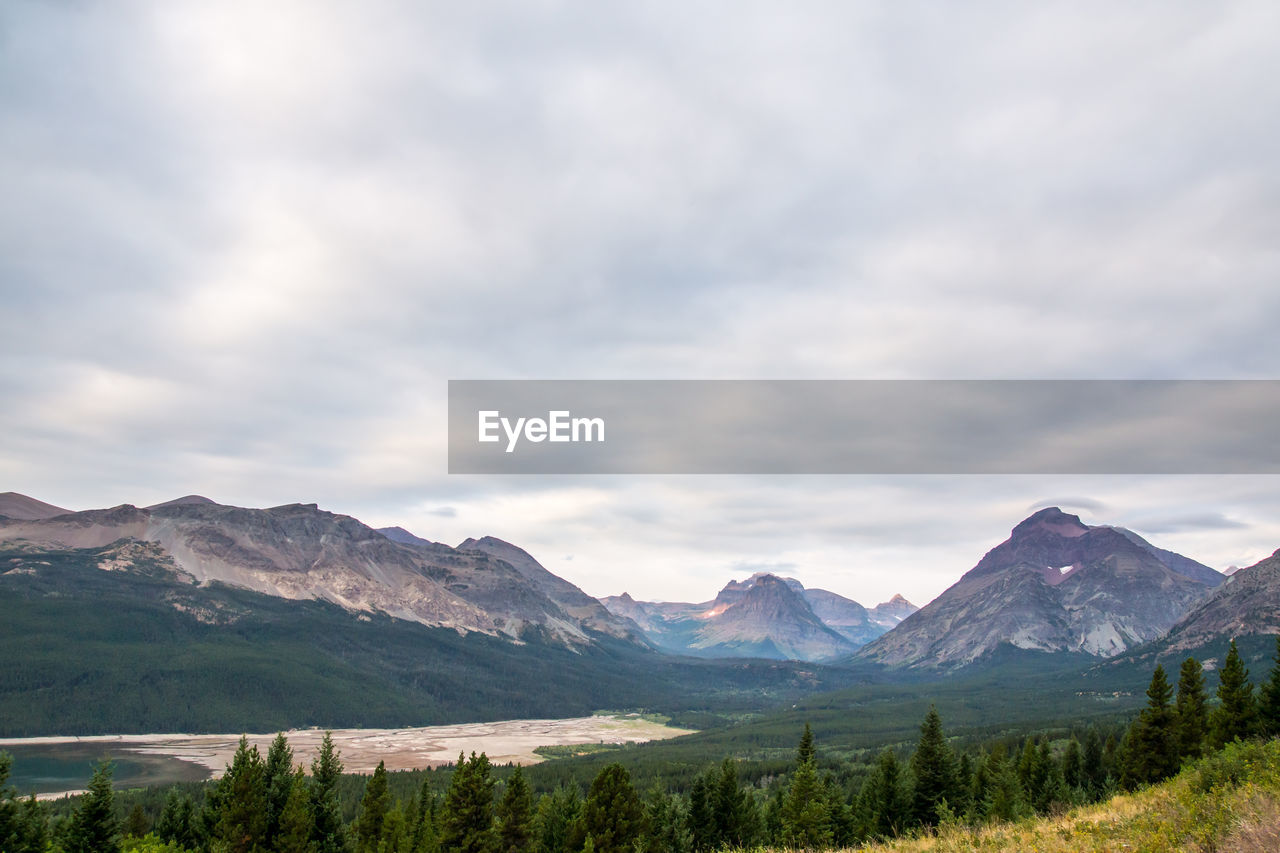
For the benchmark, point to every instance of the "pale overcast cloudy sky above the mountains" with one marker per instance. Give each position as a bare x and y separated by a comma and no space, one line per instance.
245,247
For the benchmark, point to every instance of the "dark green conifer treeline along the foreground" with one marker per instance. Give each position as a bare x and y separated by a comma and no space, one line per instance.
264,805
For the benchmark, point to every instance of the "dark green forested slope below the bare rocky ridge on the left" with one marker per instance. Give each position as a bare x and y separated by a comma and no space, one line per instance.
112,640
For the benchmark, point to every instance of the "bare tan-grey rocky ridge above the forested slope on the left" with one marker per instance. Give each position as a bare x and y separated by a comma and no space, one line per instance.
301,553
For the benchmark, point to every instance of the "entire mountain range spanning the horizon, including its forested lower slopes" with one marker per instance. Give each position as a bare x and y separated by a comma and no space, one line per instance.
428,632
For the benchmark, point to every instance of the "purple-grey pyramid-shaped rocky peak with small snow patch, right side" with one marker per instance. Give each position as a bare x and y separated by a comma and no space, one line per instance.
1057,586
